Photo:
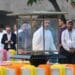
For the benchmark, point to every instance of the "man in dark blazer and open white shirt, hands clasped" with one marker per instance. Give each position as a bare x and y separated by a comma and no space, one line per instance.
9,39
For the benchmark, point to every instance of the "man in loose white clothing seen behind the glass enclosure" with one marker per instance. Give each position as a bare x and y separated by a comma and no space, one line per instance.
42,39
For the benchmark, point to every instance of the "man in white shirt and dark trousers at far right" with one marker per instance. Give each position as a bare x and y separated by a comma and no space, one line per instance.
68,43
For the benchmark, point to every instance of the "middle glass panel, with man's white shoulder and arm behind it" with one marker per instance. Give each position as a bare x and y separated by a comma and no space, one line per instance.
37,36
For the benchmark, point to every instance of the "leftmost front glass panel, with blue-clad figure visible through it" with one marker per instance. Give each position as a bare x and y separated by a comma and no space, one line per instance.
24,36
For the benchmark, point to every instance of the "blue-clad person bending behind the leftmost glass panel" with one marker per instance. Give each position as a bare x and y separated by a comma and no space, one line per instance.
24,37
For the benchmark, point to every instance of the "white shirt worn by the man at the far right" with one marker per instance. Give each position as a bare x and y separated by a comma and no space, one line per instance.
68,39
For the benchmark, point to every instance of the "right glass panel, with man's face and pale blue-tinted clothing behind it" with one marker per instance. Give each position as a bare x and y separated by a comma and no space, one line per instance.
50,32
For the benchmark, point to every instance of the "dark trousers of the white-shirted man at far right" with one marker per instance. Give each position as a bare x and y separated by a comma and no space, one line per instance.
66,57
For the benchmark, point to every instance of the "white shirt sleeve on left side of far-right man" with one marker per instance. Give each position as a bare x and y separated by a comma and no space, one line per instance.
64,41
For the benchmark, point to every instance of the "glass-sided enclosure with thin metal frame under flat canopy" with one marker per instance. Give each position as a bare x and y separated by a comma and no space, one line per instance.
36,34
